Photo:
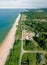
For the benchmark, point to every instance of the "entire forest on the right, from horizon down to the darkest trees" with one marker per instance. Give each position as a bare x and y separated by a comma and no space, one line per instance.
36,20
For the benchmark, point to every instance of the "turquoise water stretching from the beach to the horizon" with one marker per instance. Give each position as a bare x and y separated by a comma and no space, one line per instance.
7,18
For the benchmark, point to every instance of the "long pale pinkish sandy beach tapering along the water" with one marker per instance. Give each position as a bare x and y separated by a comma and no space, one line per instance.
7,44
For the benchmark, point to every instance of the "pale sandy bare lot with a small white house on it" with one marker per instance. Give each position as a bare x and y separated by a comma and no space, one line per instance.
27,35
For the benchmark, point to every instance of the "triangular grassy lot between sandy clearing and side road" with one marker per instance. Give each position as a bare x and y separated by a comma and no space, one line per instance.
32,45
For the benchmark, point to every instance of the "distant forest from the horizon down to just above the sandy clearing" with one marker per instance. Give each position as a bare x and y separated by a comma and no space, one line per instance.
36,25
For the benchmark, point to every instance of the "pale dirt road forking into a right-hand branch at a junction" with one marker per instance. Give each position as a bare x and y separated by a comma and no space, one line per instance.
26,51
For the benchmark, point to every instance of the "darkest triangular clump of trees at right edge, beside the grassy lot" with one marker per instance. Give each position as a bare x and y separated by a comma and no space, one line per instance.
42,40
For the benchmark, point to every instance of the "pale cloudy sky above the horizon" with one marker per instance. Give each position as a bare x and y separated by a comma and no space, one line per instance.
23,3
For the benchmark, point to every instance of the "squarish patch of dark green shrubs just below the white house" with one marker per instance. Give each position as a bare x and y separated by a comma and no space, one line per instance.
29,45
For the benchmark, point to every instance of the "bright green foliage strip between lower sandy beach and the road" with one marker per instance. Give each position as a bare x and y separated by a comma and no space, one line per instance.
13,58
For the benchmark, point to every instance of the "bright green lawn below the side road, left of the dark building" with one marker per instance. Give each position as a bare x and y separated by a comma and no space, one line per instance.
31,57
